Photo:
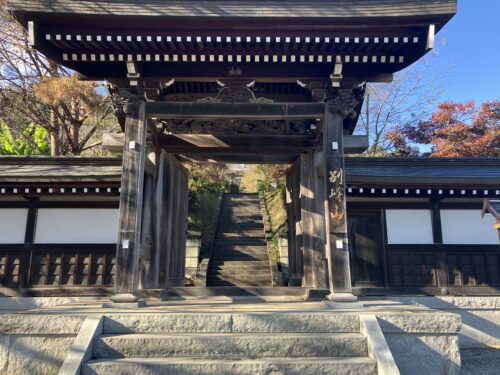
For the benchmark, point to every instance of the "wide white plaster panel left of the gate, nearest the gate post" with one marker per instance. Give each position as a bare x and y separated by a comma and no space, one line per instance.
80,225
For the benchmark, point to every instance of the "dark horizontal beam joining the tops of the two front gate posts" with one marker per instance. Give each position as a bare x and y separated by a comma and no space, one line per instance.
257,111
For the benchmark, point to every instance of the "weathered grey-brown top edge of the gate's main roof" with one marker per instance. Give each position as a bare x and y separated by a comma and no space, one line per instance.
291,9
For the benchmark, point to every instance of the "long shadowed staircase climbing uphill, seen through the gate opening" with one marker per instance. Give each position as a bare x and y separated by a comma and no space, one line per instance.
239,256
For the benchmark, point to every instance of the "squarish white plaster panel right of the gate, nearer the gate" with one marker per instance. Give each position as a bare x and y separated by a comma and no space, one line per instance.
409,227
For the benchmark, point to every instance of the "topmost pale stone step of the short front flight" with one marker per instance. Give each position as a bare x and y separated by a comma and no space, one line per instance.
282,322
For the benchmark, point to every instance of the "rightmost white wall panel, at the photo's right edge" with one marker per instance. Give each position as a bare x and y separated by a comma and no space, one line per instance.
467,227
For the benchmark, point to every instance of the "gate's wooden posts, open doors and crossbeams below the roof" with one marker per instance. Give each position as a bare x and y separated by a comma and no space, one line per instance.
153,201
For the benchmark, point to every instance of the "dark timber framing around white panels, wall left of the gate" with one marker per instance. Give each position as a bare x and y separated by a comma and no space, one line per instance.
33,269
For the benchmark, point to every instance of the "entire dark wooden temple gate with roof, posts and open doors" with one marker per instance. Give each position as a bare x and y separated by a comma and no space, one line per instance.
218,81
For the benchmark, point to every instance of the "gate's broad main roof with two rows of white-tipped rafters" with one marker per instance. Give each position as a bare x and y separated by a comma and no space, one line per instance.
262,40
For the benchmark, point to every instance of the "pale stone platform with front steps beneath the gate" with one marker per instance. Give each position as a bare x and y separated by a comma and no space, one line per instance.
36,334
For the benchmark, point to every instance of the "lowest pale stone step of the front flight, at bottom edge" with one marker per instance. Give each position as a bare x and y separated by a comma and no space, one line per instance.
261,366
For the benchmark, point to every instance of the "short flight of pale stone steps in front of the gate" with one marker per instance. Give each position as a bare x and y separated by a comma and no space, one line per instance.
231,343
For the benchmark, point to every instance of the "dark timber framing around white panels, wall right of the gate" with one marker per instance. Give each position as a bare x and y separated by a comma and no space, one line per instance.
437,268
